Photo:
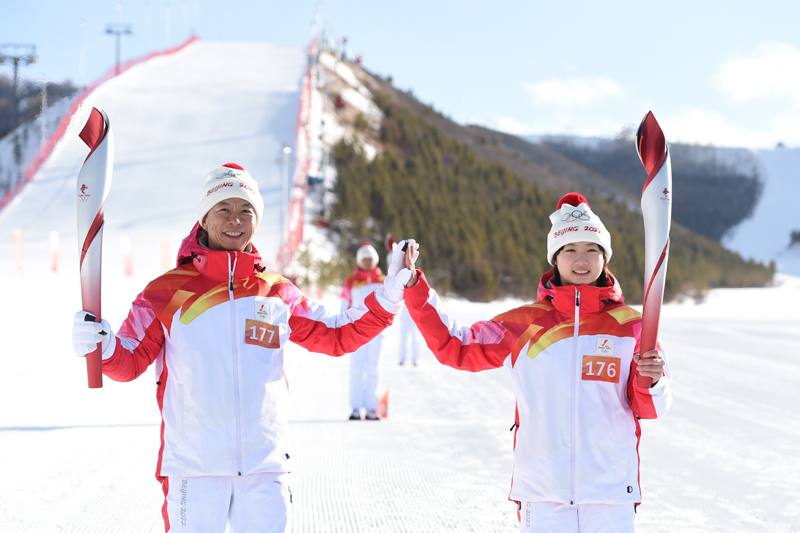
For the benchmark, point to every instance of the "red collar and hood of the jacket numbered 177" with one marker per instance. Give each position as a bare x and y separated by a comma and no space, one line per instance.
214,263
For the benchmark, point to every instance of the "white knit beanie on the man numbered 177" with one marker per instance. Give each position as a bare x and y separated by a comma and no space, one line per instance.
230,181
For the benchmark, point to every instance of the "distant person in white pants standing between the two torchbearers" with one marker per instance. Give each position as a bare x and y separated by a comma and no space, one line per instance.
364,362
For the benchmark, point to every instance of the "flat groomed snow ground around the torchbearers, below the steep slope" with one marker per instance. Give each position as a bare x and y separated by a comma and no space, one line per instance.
726,458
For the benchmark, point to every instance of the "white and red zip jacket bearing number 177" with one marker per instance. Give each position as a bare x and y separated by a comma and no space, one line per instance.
216,327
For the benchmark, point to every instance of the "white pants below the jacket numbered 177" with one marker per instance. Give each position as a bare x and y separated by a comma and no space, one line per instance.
253,503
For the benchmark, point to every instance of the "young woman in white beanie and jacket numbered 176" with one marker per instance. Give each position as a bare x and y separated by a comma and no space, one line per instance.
574,360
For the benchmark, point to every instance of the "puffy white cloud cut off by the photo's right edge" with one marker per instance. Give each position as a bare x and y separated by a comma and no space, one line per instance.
773,69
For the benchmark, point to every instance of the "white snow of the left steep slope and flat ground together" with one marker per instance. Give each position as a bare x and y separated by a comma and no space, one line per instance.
725,459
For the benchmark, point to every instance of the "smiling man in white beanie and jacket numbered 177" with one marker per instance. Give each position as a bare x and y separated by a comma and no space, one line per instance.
216,327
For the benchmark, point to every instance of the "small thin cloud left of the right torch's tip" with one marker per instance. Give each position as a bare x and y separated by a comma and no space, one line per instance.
573,92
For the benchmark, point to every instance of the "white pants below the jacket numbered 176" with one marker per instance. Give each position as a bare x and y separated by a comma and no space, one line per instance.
549,517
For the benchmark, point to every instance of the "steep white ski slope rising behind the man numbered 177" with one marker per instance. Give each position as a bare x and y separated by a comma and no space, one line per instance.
174,118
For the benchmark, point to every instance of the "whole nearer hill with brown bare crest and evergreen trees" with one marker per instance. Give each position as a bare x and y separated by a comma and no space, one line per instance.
419,149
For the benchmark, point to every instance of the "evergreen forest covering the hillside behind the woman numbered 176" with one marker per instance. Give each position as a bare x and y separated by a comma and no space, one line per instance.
483,229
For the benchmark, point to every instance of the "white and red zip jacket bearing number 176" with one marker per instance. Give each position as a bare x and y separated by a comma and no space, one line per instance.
571,360
